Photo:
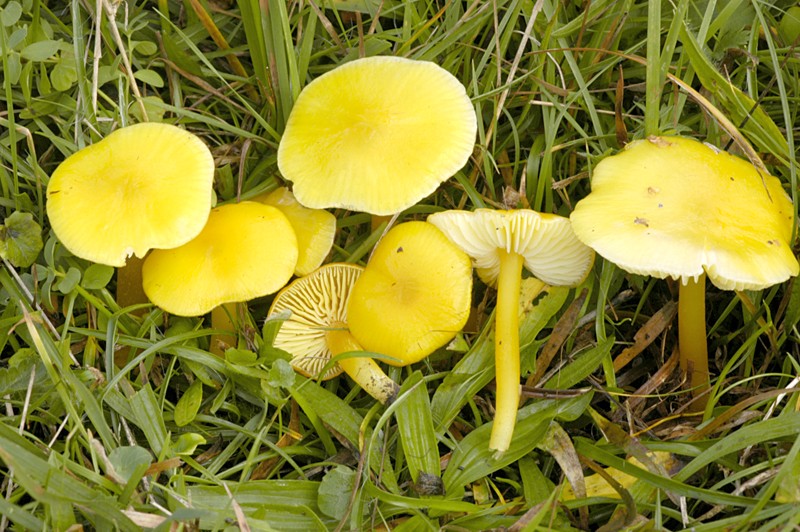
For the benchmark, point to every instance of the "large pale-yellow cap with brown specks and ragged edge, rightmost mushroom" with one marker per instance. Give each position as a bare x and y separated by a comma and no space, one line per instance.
675,207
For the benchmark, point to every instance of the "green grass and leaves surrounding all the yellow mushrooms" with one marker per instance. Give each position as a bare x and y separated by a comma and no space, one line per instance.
179,437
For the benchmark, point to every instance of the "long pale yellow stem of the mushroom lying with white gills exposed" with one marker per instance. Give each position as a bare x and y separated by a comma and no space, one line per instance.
506,351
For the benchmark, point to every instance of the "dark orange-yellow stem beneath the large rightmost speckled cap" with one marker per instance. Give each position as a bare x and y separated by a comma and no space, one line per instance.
692,334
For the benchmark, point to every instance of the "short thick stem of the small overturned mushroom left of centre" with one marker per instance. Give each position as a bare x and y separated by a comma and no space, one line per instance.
364,371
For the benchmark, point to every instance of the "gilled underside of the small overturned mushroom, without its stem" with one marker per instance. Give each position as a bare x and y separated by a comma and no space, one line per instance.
318,303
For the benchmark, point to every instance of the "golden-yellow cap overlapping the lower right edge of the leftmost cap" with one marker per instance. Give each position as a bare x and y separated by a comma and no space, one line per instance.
246,250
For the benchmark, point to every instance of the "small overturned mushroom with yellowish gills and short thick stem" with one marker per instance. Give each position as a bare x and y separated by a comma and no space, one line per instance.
317,329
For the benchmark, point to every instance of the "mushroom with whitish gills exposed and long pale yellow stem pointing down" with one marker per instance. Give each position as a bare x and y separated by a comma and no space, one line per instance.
500,244
